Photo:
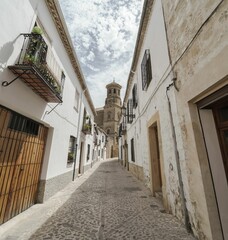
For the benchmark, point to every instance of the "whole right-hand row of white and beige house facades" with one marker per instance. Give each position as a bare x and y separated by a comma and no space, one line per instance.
176,138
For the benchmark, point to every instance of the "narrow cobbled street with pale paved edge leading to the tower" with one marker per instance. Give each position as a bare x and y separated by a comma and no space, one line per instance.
109,204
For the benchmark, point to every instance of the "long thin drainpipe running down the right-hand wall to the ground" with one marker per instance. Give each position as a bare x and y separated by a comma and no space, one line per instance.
177,157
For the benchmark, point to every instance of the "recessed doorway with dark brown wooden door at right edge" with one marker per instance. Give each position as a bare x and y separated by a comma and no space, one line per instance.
213,113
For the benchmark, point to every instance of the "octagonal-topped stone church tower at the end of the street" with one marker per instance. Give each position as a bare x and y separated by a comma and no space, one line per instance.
108,117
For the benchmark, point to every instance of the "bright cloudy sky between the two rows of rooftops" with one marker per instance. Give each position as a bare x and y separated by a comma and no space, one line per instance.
104,34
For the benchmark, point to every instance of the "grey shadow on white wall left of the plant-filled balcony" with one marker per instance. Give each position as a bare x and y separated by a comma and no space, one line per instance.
5,53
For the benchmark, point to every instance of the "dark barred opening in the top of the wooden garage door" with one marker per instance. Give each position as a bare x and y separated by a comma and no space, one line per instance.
23,124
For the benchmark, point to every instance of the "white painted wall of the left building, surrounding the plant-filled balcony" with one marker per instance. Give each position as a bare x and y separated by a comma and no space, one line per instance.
63,121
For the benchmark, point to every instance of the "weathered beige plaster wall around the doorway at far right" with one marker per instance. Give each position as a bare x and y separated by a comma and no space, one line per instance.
200,71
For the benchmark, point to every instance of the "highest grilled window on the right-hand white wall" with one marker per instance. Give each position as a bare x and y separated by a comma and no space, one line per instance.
146,70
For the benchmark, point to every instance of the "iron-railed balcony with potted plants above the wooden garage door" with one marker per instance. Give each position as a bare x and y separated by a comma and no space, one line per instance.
37,67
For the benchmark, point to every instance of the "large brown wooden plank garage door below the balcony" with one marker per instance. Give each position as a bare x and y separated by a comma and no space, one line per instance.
22,143
